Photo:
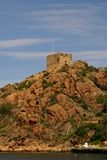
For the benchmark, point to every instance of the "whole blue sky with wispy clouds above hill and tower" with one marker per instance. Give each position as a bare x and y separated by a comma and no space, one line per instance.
28,28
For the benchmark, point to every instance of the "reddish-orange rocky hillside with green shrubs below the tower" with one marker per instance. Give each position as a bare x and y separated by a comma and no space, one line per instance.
59,108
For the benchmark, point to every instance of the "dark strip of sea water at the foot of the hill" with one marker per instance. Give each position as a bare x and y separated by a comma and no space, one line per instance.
53,156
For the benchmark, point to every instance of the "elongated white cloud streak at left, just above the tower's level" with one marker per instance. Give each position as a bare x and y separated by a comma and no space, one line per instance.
24,42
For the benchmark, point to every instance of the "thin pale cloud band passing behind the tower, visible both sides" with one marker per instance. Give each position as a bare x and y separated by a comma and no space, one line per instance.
85,55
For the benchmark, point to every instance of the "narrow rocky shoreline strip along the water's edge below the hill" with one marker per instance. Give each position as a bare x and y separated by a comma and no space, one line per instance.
35,149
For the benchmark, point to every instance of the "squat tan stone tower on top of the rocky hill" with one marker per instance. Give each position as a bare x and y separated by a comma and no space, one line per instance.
59,58
